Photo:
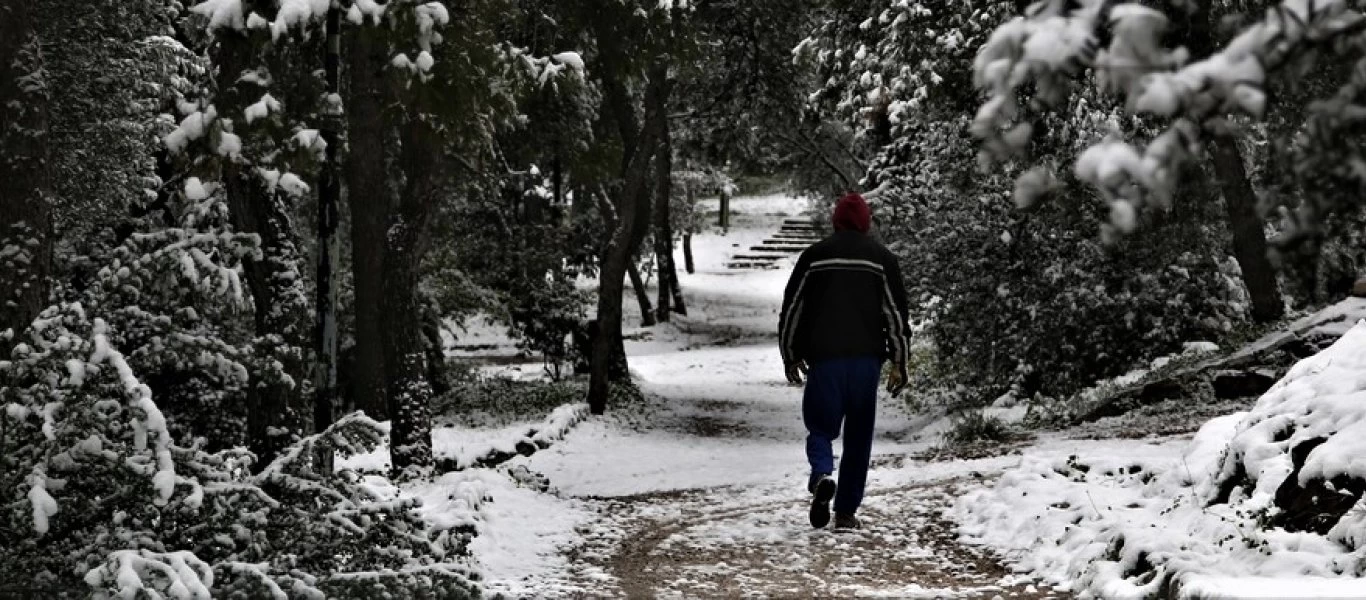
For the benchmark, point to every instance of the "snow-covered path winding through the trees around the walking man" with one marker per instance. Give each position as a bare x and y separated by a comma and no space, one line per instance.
701,491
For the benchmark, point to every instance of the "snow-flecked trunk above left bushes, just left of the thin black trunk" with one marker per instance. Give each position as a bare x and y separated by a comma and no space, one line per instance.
277,409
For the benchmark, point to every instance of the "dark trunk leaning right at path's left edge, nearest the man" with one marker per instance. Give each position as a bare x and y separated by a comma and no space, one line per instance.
618,255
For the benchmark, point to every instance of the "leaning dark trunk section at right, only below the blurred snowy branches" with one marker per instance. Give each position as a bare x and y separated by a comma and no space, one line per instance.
1248,229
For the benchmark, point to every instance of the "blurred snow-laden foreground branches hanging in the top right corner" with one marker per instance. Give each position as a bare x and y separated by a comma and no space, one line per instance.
1170,62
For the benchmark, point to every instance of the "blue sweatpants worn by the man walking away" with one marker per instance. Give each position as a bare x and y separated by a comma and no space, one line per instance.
842,392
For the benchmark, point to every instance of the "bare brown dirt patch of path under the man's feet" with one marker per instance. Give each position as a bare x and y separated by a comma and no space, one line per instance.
906,550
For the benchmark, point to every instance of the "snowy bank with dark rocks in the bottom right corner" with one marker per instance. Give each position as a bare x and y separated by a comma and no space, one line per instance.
1264,504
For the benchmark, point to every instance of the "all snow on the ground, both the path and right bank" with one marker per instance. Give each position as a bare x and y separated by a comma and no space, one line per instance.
701,490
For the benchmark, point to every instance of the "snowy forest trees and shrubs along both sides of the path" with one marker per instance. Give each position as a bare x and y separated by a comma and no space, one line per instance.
233,230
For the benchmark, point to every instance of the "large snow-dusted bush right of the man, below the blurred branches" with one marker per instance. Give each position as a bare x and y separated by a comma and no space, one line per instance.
1032,303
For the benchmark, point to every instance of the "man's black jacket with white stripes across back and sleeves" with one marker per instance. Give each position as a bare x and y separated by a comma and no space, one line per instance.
846,299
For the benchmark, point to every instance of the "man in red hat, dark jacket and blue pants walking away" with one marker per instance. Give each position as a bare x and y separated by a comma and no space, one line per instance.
844,315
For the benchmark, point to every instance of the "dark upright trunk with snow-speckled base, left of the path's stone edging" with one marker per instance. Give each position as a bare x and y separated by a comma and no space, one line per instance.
406,360
